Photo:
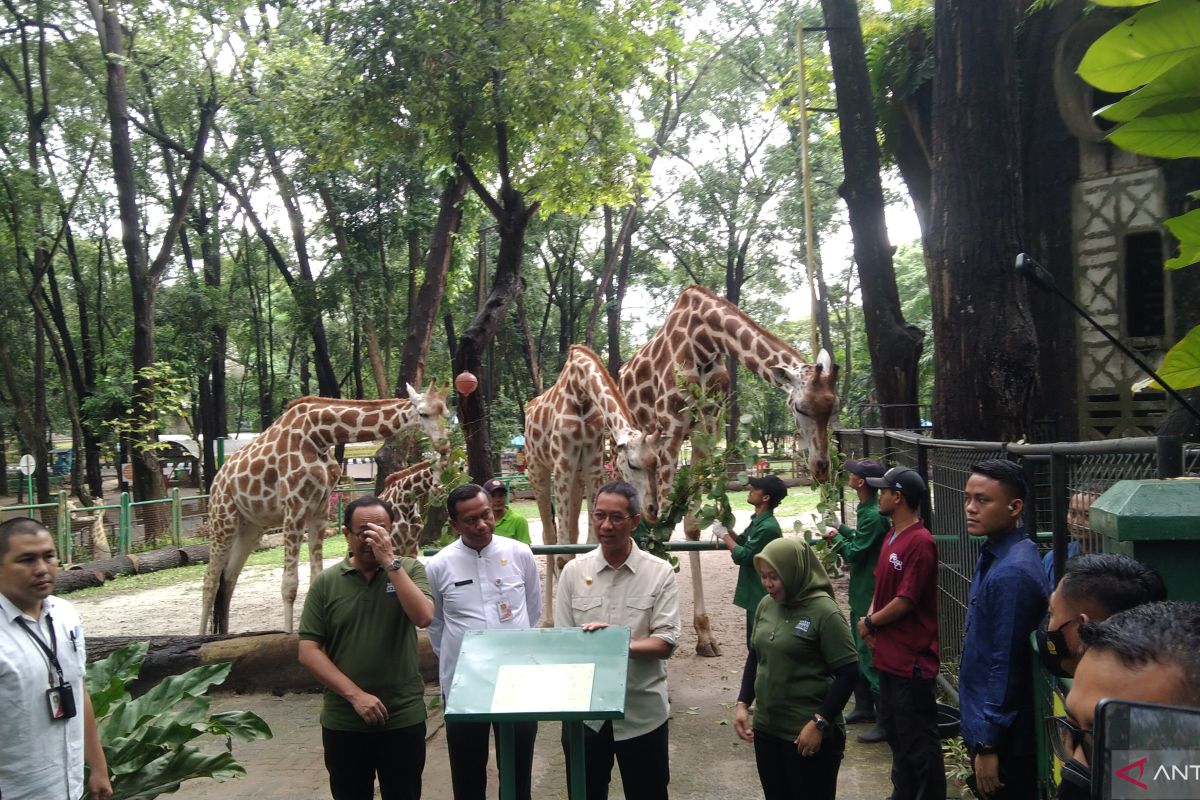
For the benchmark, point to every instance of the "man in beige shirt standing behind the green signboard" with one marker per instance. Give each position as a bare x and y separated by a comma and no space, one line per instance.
620,585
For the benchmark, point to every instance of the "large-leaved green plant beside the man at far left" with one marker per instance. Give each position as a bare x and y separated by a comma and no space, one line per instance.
147,739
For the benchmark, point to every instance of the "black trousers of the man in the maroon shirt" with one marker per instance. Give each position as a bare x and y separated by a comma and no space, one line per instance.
909,714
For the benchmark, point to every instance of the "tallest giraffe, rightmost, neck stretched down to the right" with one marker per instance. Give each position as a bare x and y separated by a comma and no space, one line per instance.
697,336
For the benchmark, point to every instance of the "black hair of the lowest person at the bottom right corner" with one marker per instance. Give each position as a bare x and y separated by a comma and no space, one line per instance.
1163,633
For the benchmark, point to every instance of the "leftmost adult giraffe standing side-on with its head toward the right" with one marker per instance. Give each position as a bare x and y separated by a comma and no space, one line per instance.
285,478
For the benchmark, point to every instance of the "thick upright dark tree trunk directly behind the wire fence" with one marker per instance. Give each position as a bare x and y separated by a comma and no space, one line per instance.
987,353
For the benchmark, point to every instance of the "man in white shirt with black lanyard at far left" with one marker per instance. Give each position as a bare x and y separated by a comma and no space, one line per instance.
49,729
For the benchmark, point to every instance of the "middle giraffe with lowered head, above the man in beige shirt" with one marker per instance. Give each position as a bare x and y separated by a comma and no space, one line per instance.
566,440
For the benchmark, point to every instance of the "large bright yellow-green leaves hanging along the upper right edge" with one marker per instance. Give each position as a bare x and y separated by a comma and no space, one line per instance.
1155,55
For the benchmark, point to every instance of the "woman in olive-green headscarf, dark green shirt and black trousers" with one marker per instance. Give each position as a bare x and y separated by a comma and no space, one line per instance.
801,671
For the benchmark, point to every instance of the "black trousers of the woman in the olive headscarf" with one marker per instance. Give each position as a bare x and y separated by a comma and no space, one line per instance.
787,775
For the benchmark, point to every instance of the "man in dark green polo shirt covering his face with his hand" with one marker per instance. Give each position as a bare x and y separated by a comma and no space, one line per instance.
358,637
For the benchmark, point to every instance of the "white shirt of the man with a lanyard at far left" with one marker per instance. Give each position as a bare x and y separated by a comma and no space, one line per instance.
45,760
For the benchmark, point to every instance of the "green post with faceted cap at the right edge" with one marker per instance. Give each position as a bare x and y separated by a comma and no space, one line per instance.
1159,524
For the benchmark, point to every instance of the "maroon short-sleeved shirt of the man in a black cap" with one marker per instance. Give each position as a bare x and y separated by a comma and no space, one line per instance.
908,569
